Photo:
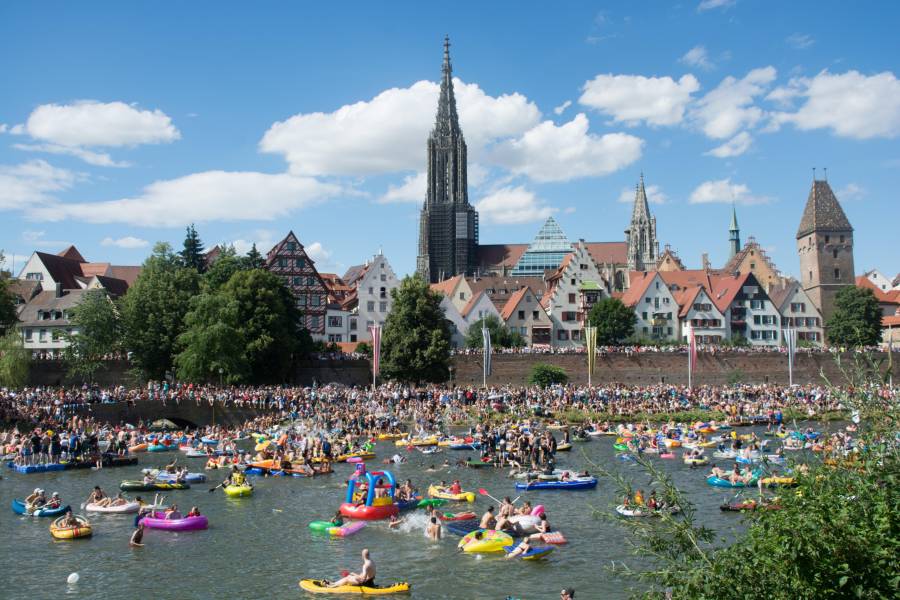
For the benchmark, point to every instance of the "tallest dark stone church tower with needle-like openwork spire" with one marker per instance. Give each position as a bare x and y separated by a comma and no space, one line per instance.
448,224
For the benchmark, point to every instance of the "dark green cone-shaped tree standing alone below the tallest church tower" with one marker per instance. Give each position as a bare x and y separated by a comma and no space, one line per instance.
416,338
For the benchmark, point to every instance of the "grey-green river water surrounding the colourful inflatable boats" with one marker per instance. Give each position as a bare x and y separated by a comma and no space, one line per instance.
261,546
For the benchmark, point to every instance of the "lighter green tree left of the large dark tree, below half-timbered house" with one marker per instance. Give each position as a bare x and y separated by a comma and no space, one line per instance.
213,345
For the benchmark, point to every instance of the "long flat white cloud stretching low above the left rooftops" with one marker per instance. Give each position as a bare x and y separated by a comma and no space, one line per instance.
198,198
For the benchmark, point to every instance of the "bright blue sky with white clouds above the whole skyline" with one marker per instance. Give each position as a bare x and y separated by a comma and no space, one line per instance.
120,123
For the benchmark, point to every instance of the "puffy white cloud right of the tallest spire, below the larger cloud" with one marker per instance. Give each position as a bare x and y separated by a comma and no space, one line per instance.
559,153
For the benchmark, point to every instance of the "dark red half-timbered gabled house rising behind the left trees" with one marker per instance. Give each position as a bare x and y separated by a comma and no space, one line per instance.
289,260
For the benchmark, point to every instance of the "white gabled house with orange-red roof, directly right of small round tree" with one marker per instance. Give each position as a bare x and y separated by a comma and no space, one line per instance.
654,305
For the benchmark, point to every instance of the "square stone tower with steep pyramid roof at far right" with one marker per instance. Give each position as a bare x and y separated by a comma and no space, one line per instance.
825,246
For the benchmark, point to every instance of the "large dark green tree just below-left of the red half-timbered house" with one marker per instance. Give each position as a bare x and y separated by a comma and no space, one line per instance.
269,322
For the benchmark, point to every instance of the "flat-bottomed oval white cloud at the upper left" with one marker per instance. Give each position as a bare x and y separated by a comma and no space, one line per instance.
91,123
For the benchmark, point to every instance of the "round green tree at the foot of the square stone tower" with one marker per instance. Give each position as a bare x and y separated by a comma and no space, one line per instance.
856,320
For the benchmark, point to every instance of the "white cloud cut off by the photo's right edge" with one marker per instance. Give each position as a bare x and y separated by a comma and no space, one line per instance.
850,104
